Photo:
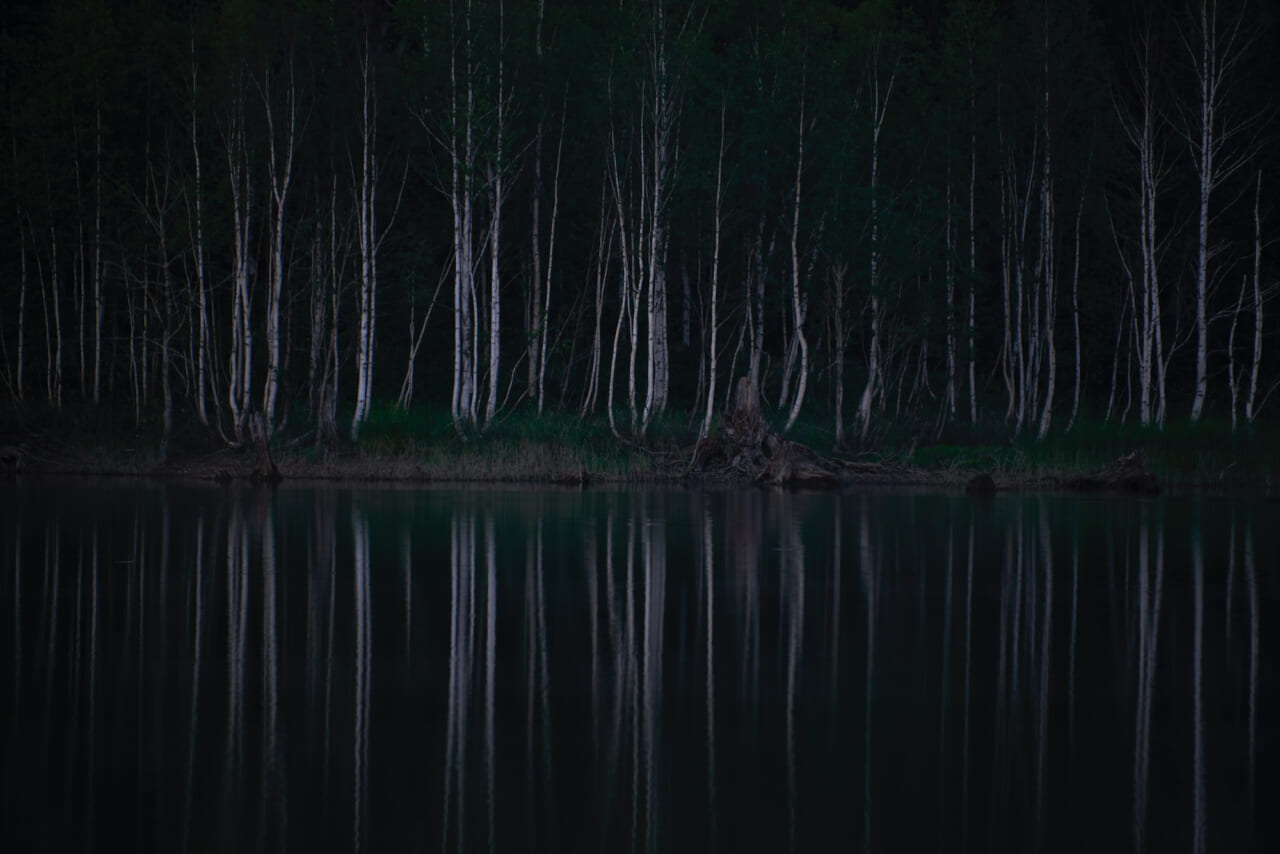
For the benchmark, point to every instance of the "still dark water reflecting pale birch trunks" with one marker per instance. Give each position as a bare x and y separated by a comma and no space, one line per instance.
324,669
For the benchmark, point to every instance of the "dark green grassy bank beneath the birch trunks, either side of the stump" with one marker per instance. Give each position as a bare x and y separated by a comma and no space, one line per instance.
423,445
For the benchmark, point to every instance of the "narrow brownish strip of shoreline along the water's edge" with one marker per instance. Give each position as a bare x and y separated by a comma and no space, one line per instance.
556,467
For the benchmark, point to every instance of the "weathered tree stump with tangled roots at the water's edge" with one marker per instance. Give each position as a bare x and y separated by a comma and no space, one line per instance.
749,450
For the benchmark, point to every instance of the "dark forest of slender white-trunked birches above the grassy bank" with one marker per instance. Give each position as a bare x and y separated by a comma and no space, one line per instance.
262,216
